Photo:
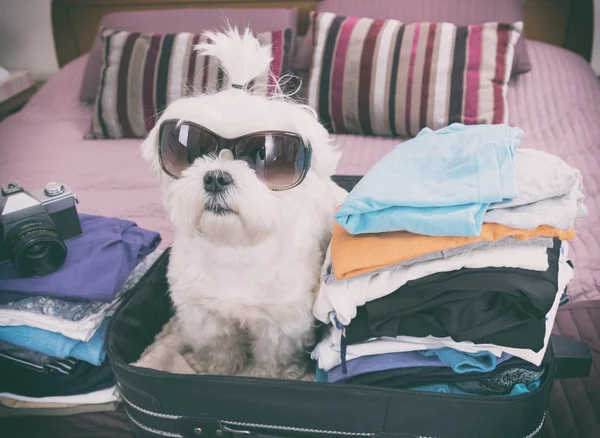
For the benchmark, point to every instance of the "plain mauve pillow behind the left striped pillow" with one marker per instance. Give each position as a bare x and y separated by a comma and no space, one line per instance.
194,20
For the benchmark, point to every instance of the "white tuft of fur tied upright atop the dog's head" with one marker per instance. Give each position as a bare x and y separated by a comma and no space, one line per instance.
240,55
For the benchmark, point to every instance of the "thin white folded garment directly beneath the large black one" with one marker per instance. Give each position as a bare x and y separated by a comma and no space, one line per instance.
327,352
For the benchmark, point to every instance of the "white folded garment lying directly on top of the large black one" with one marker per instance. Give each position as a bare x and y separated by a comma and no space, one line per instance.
343,297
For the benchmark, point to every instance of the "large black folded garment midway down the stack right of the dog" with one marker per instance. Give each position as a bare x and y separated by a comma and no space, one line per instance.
500,306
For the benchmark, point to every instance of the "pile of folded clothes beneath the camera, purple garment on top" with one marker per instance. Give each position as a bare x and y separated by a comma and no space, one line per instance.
52,328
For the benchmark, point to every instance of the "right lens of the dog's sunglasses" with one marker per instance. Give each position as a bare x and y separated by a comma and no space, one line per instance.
279,160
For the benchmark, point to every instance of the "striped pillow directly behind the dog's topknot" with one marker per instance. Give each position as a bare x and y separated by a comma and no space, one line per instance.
143,73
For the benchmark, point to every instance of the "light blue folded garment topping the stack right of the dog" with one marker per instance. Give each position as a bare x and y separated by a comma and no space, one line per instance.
439,183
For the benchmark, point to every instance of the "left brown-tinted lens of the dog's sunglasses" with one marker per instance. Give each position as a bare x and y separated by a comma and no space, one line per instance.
181,144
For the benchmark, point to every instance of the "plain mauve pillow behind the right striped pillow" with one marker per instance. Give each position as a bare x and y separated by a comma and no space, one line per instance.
459,12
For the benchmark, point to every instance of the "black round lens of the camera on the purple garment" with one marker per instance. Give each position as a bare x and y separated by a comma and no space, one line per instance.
37,249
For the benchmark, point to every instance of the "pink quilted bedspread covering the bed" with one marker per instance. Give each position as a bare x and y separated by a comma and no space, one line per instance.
557,104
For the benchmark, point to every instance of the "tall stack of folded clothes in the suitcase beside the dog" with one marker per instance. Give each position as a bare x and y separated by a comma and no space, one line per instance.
447,265
